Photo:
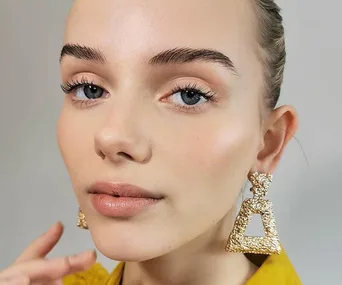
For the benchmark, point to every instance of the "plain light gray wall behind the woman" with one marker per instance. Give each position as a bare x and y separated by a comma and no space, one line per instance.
35,188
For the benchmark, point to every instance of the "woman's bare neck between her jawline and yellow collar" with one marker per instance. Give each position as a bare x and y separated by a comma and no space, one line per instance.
203,261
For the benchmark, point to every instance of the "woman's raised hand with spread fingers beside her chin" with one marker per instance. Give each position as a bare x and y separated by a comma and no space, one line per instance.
32,268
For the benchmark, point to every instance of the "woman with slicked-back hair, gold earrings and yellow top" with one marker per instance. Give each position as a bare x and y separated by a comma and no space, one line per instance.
169,107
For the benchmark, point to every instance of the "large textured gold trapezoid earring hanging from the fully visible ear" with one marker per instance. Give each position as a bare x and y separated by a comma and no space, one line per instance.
237,241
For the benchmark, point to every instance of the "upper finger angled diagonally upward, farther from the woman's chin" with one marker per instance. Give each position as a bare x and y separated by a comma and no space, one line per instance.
42,245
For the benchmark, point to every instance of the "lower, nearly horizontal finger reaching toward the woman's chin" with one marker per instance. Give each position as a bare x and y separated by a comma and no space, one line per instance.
52,269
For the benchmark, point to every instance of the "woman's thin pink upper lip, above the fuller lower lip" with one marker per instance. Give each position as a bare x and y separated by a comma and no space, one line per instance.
122,190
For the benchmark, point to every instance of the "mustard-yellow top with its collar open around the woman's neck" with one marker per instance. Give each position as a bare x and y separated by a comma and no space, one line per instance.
276,269
